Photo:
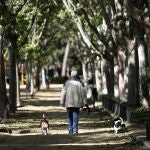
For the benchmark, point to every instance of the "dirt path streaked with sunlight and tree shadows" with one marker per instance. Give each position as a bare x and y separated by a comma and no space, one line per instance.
95,130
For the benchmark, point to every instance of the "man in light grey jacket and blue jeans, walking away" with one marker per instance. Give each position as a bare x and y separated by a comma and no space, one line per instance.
73,97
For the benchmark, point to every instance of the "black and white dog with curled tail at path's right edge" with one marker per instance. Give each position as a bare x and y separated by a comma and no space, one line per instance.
118,125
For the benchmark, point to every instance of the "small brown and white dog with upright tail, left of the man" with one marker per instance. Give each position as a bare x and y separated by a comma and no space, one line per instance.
44,125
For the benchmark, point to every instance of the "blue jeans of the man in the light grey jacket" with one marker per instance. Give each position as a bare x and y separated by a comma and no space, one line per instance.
73,119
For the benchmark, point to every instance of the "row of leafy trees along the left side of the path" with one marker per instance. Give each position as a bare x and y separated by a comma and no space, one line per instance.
28,33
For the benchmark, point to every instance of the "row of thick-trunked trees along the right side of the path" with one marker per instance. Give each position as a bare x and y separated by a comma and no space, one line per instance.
117,34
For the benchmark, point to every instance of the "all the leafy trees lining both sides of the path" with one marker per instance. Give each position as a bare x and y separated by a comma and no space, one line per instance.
109,38
